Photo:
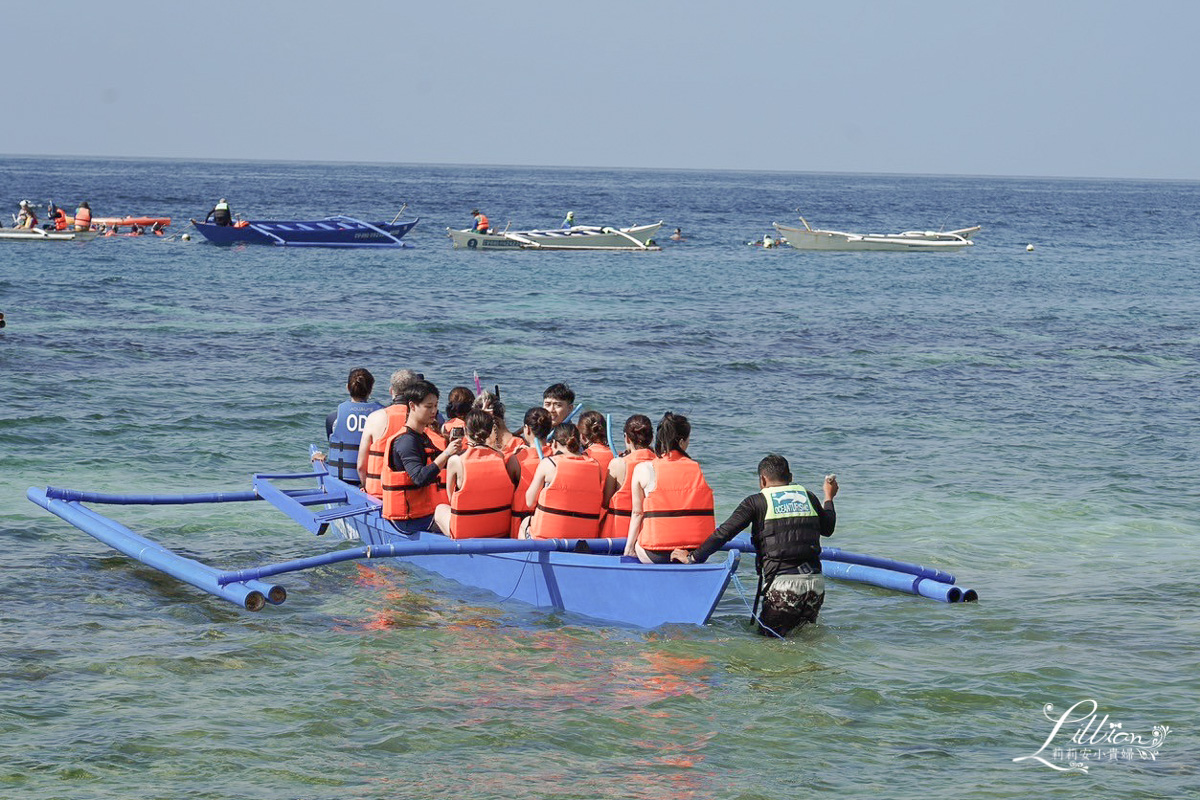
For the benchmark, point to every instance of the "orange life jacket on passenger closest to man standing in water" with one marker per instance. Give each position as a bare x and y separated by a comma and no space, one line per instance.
680,512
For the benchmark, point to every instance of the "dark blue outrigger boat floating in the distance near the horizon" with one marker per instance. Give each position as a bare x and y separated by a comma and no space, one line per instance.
332,232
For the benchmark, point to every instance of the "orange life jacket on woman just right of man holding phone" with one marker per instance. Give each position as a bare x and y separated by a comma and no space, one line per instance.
483,504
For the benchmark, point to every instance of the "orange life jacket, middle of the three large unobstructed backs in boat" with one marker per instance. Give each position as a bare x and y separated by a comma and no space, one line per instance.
571,507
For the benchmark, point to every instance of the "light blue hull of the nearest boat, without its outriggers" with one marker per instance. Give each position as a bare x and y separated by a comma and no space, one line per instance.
599,587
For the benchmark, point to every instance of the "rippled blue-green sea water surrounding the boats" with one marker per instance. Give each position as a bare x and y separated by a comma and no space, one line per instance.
1025,420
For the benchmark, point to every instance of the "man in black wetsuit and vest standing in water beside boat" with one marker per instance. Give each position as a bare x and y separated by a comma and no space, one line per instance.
787,525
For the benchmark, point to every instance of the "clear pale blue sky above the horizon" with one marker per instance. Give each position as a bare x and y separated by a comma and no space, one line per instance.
1065,88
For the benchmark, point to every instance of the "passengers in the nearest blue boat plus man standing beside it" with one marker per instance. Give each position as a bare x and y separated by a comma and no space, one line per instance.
466,474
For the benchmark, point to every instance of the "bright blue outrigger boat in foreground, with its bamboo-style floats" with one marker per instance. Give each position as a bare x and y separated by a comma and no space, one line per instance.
584,578
